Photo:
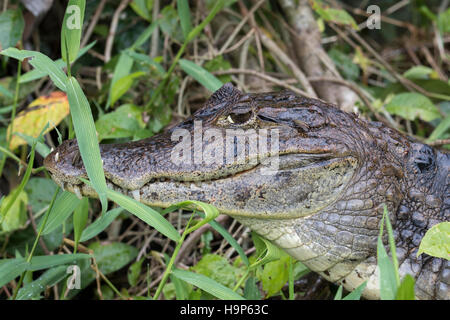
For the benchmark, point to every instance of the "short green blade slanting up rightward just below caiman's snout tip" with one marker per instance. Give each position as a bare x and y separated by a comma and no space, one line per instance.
64,205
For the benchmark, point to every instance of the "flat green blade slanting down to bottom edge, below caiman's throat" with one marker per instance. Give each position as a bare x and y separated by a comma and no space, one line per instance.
207,284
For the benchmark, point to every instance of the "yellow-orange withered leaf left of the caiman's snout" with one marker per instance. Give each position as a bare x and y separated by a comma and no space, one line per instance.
52,108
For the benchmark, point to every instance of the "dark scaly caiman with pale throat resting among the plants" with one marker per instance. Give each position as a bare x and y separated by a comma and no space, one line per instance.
323,203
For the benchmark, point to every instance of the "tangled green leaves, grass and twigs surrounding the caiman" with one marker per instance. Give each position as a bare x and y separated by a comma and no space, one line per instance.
148,67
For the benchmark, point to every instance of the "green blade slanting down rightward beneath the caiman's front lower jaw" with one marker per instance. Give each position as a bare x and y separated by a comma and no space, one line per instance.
148,215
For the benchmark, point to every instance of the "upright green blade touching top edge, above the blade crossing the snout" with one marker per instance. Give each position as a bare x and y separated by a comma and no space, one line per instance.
71,29
